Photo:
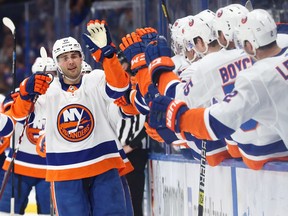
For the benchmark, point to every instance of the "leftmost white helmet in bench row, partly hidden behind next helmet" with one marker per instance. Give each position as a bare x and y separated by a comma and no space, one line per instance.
177,37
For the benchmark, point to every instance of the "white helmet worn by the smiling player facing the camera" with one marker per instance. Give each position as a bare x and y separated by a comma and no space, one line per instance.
64,45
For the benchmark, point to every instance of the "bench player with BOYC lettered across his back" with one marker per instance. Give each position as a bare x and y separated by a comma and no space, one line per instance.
205,83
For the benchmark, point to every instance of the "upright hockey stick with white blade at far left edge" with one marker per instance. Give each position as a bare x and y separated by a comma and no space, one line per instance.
9,24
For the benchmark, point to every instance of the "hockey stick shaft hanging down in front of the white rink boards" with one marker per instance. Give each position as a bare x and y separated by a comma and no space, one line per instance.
202,179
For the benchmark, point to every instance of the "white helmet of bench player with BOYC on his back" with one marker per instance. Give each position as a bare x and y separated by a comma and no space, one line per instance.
199,26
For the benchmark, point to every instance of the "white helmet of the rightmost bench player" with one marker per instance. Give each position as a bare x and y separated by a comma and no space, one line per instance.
258,27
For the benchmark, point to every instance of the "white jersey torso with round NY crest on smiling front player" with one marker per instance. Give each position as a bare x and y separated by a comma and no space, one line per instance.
80,142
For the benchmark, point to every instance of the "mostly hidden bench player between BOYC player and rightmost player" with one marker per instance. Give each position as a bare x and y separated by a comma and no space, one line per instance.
252,139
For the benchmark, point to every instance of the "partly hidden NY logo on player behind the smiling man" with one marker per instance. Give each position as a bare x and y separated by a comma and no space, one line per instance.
33,128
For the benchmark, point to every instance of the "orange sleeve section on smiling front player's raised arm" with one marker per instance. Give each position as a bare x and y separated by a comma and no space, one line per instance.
115,74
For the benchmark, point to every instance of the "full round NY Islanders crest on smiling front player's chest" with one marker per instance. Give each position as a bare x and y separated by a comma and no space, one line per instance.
75,123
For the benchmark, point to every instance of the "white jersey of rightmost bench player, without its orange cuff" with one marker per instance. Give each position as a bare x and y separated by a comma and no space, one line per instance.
259,94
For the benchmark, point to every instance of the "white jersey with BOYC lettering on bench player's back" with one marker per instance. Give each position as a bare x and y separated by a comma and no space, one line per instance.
208,79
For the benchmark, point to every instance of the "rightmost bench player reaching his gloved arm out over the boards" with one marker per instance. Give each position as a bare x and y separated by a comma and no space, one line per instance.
259,90
